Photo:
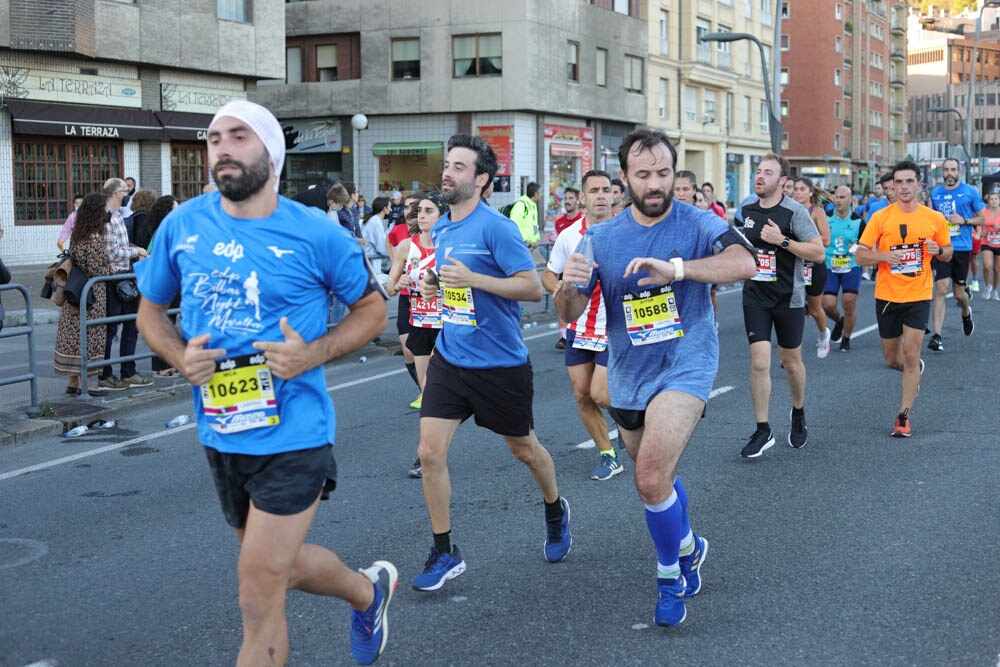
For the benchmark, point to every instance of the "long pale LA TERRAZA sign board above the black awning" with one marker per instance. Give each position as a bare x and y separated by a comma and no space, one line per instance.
44,86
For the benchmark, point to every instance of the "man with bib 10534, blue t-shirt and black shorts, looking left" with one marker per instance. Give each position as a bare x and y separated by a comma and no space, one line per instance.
480,366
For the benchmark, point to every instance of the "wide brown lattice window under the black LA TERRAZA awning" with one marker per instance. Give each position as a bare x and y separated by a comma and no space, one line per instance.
48,173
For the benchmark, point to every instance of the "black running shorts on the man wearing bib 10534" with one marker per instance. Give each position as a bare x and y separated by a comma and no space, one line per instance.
499,398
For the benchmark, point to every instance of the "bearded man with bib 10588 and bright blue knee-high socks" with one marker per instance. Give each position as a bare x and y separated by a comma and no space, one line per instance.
654,263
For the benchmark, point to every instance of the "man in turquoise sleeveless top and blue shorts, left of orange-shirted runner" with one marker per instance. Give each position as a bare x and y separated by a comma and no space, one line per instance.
843,273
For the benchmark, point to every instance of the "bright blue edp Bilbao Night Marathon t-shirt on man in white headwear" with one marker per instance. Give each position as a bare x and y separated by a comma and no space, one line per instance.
237,278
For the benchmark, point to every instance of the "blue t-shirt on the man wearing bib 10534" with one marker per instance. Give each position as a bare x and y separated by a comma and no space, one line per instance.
482,331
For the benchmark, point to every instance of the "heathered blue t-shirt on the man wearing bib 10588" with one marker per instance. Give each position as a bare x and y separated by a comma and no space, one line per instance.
637,373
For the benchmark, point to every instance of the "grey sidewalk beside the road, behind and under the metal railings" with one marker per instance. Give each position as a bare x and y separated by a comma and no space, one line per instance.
60,413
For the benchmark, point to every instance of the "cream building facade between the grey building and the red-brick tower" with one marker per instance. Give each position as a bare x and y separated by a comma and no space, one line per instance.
709,97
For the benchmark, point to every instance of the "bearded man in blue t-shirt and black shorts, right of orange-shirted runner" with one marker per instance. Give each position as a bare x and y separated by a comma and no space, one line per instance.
962,205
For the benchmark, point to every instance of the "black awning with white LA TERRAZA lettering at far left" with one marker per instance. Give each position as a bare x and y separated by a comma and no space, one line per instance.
84,122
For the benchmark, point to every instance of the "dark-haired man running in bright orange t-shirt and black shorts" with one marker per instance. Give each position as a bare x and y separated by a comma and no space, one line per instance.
902,238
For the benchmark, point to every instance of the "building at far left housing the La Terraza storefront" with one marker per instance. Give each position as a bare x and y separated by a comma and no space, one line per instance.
91,89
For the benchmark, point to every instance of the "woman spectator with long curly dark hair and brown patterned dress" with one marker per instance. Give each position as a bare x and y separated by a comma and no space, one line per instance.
86,248
